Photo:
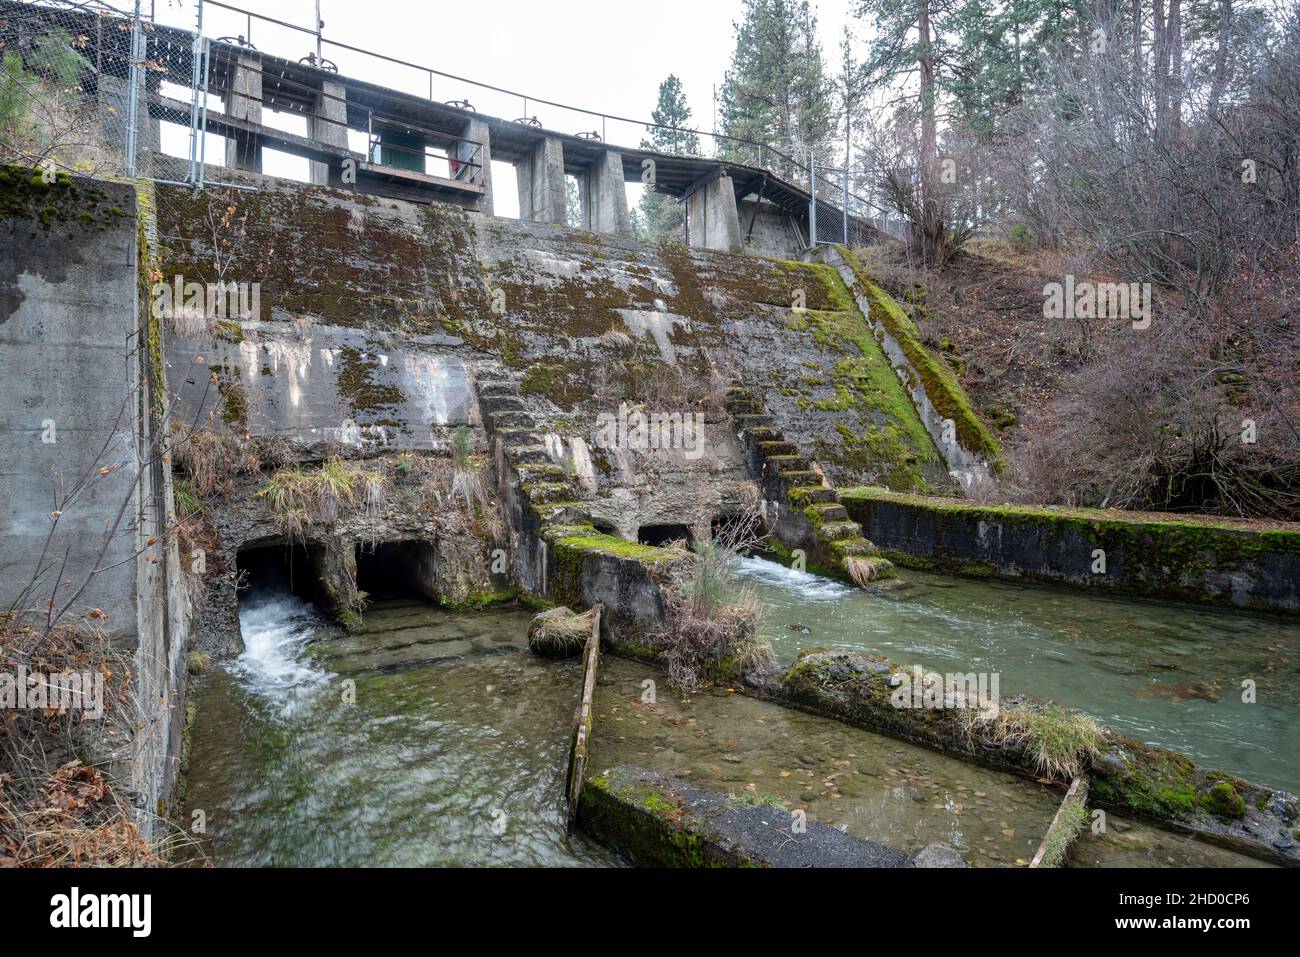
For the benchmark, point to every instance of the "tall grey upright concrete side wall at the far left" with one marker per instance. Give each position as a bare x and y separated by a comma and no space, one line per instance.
79,405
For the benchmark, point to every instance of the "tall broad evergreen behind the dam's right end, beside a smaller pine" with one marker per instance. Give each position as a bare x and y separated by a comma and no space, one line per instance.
777,90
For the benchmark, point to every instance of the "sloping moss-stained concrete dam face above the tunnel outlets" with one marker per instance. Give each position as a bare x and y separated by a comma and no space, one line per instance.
405,298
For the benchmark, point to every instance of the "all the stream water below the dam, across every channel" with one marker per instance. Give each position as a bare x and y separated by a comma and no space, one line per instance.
437,739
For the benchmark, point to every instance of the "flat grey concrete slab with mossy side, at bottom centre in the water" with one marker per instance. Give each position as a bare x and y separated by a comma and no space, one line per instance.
669,824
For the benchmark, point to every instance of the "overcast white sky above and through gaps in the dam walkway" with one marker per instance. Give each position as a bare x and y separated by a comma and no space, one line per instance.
592,54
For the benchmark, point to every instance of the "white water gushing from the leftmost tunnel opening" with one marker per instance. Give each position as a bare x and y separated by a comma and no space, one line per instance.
274,666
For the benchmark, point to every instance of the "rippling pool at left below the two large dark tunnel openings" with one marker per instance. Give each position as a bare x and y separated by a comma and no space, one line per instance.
454,752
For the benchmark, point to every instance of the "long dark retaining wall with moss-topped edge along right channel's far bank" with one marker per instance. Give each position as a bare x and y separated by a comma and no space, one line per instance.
1193,558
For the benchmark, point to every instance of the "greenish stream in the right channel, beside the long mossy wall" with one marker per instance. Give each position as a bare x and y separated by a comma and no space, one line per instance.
1167,674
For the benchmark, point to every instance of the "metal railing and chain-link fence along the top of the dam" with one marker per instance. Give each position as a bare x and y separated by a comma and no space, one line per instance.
120,89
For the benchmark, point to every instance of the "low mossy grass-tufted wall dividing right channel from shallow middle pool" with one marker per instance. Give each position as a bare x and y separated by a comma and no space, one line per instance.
1128,776
